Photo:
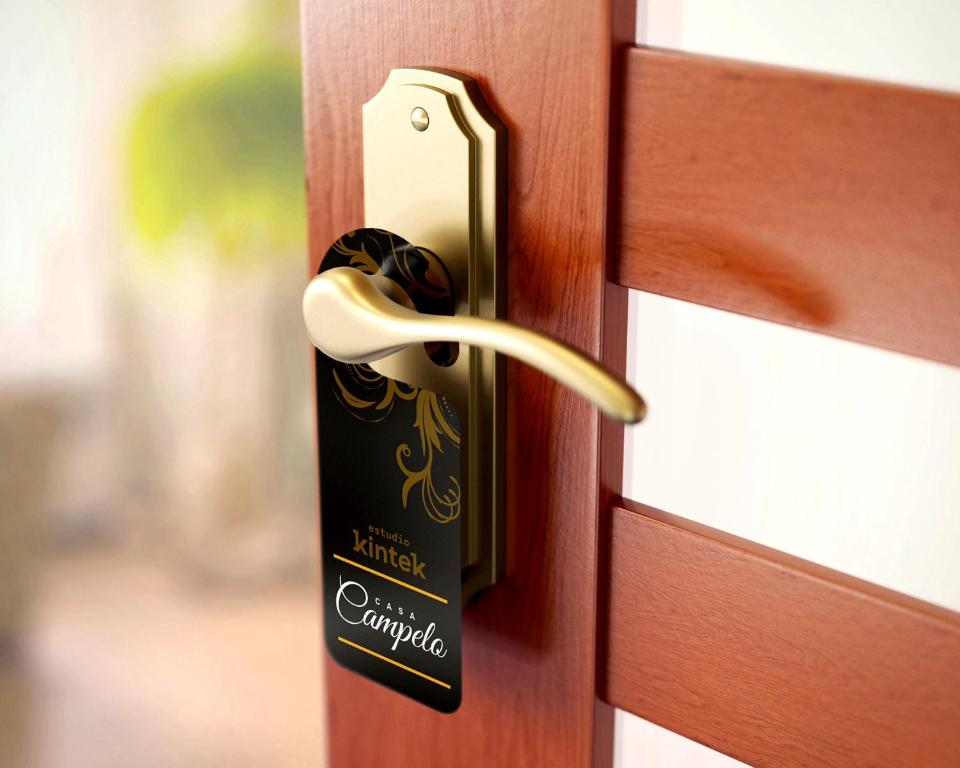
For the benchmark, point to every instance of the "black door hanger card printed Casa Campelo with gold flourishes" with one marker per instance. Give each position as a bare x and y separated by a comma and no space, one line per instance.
390,499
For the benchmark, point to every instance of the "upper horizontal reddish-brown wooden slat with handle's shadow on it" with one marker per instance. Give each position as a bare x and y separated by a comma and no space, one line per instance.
821,202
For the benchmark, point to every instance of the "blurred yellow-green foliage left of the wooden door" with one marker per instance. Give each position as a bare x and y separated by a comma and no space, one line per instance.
218,153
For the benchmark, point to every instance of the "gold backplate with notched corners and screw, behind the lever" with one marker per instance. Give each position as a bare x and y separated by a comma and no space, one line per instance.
433,166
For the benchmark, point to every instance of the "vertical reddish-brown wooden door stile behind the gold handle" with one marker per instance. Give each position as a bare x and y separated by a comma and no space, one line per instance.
530,644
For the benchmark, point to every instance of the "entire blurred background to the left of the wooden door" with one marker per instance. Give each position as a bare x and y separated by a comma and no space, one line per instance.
157,533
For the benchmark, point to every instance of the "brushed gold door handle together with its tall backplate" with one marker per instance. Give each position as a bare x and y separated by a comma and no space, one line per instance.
434,173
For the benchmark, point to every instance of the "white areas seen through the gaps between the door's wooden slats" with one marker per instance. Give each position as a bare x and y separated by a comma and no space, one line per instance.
843,454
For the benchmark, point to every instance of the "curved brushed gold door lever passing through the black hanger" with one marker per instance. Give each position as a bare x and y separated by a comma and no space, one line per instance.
349,319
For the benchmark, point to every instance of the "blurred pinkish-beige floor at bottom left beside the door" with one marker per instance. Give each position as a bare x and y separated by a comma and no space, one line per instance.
121,666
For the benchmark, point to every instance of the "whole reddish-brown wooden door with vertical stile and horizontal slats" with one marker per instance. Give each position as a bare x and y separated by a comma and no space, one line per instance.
737,199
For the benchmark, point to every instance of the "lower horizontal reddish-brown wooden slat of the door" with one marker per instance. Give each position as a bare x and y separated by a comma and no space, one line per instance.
772,659
